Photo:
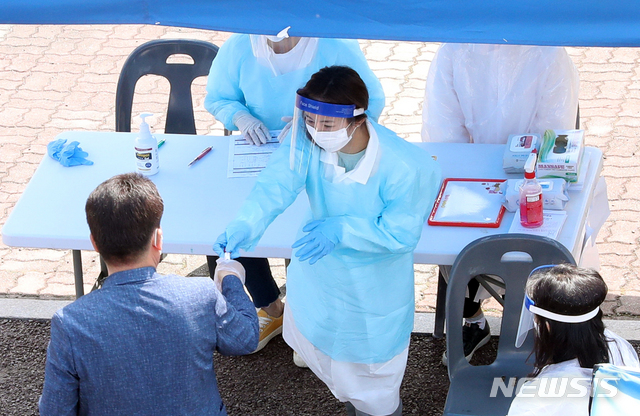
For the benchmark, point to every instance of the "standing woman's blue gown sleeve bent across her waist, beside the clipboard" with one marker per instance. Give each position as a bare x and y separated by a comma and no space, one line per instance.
399,227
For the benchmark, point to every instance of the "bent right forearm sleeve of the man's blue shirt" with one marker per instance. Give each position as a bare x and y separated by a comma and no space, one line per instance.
238,329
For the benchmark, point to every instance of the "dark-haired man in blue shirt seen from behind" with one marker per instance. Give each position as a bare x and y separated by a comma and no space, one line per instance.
144,342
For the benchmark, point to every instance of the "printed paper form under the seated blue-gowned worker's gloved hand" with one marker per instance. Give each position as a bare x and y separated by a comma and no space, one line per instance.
246,160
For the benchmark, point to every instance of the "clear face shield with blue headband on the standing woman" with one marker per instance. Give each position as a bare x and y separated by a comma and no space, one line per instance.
319,125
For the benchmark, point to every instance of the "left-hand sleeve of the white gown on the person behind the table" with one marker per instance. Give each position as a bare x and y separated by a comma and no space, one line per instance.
442,116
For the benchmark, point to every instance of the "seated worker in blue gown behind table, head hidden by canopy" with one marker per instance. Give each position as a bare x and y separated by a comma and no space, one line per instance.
251,87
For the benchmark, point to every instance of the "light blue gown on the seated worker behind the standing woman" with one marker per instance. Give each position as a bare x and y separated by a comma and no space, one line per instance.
237,82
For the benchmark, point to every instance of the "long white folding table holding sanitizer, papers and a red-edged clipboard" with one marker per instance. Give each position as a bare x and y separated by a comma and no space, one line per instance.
200,200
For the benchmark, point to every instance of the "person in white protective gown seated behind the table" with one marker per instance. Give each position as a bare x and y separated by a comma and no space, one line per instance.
484,93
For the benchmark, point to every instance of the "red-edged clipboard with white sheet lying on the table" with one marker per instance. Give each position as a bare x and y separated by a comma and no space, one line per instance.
469,203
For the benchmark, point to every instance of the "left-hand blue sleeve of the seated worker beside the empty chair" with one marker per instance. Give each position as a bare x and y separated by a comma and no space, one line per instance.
224,95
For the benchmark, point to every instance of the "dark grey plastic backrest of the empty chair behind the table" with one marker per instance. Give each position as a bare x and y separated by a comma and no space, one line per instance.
151,59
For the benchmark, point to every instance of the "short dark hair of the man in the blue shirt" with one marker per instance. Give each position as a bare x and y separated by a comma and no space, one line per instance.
123,213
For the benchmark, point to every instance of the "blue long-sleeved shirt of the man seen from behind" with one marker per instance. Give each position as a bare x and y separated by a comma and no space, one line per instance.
143,345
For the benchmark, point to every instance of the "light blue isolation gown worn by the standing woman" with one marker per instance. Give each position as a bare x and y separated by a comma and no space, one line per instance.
357,303
